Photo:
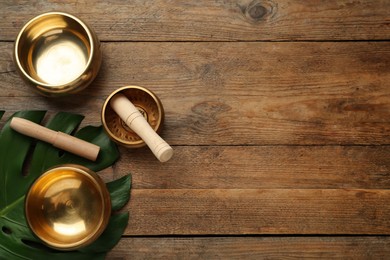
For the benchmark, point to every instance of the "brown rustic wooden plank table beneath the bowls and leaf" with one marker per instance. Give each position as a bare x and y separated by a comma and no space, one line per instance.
278,112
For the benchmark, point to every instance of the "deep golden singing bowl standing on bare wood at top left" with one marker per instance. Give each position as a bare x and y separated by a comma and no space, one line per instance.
57,54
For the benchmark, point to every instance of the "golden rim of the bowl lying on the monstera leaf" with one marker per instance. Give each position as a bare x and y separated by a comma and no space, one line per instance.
106,212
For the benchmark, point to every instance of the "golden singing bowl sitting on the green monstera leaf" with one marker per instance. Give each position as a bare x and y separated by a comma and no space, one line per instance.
68,207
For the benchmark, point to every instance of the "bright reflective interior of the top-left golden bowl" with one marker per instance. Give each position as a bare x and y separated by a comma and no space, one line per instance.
54,49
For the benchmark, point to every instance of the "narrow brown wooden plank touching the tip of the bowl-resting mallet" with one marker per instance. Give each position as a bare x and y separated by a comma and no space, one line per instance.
243,167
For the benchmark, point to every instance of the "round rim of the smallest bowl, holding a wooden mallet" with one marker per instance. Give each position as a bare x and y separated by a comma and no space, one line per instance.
141,142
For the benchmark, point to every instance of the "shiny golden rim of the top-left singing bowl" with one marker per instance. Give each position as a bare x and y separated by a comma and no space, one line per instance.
46,86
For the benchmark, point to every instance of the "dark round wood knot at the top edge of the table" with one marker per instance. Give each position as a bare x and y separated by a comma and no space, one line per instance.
257,10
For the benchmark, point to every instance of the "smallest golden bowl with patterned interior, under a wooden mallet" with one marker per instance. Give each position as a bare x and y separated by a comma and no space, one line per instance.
147,103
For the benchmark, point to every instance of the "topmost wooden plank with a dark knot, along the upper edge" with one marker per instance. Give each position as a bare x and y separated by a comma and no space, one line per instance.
228,20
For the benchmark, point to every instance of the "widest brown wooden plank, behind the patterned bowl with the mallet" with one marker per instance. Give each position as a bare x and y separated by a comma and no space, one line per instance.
225,94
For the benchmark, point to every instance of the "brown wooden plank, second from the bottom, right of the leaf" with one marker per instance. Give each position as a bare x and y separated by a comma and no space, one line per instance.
258,211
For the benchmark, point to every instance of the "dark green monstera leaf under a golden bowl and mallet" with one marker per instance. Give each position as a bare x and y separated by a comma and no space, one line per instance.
21,162
